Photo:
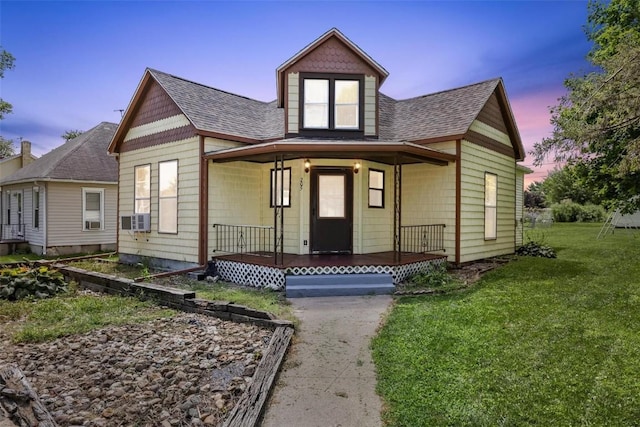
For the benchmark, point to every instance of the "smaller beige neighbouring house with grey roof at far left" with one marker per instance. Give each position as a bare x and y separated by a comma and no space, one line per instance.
65,201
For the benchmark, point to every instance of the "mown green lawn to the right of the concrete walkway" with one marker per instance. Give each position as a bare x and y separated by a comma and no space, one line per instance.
536,342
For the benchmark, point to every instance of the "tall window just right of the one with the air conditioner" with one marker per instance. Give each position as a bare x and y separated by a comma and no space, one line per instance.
168,197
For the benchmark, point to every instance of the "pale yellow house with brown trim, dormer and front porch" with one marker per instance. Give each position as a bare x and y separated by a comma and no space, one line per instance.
331,180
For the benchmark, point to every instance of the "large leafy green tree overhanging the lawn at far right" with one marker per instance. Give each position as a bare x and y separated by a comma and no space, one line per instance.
596,125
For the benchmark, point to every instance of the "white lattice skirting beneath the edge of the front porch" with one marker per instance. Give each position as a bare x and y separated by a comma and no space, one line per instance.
262,276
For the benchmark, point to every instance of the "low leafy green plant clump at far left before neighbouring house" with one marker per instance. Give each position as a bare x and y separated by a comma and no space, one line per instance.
39,282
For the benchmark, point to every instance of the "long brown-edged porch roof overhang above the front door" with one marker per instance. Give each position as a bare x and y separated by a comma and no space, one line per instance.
388,152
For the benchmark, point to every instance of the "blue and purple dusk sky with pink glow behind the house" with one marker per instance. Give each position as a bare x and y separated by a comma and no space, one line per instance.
78,62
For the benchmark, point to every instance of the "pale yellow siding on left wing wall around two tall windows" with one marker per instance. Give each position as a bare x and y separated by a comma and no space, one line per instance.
182,246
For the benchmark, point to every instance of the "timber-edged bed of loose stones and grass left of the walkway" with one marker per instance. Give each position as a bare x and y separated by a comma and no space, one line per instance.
106,360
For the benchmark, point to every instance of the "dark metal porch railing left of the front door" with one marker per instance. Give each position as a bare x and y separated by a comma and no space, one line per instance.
243,239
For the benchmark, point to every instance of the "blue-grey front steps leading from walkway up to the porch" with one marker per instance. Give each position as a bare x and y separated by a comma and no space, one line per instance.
323,285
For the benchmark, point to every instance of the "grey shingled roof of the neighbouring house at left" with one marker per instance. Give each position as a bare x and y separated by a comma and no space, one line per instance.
83,158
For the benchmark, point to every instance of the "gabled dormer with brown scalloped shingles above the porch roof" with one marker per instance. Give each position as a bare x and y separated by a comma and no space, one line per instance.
330,89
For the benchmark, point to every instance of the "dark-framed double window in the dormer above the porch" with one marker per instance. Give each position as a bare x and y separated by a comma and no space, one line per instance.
331,103
